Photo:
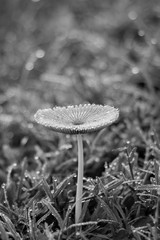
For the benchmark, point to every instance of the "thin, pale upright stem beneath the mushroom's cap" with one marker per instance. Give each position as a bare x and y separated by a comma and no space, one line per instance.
80,179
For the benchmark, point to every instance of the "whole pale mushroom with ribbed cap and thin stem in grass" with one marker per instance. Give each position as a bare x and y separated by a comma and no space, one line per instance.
78,119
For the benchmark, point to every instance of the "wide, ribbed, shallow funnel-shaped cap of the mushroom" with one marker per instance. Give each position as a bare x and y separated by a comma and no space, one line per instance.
77,119
